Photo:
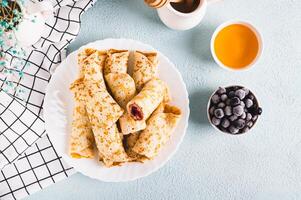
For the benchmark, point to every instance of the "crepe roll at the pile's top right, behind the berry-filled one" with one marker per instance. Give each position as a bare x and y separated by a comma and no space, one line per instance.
145,68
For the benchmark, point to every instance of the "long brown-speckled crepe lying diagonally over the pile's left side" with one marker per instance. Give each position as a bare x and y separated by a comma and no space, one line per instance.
101,109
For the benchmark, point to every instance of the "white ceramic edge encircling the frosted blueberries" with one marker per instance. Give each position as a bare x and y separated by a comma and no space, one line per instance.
208,114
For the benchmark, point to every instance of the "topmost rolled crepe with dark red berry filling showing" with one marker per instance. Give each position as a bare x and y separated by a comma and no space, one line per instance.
148,99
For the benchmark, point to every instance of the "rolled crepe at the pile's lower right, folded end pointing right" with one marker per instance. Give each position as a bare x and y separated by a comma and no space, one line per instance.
159,129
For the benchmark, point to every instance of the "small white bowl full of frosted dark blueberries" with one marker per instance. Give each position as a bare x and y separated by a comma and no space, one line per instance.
233,110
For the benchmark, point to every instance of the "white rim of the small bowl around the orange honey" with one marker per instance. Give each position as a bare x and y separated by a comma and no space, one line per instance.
245,23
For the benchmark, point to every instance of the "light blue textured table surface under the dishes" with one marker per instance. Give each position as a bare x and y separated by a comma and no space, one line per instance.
264,164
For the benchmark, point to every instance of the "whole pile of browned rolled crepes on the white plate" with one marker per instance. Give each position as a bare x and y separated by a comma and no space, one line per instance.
139,105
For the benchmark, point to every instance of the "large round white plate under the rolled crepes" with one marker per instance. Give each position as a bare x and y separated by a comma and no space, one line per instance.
58,108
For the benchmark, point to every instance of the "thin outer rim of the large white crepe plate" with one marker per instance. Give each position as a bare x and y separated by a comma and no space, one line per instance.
185,119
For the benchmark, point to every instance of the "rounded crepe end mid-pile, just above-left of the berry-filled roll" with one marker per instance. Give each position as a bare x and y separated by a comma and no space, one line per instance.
122,87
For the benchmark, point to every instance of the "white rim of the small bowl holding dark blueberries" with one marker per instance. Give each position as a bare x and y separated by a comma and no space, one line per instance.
208,107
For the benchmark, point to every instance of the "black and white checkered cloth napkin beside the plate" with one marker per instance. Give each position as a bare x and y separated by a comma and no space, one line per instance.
28,160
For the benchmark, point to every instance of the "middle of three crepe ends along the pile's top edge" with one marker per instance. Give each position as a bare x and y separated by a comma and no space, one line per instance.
117,61
